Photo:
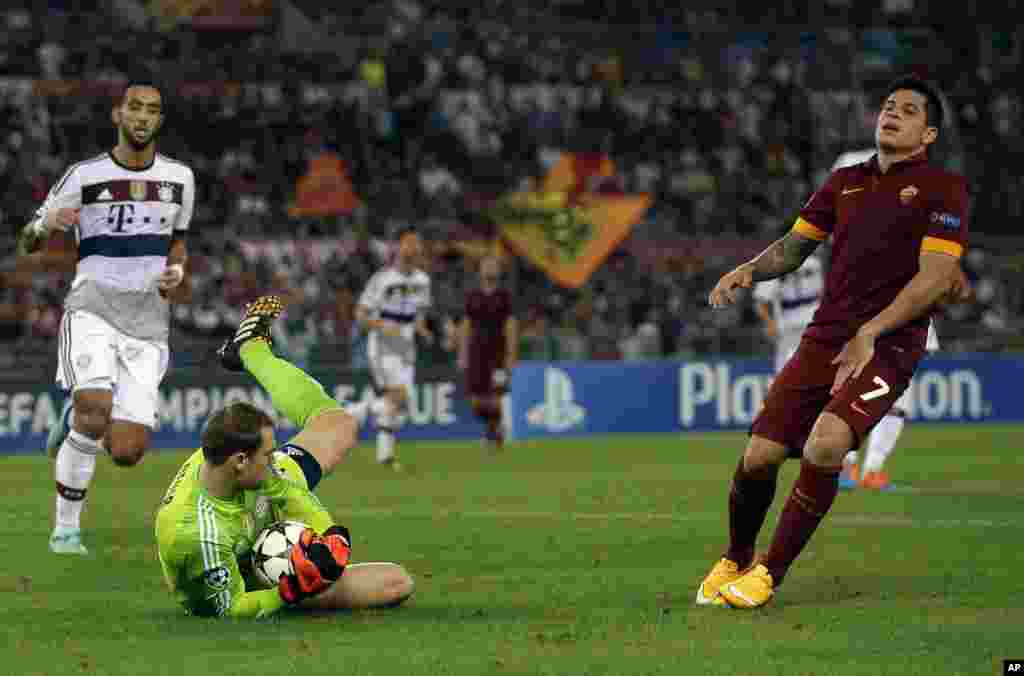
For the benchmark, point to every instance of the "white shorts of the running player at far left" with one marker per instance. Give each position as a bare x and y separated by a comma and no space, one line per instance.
93,355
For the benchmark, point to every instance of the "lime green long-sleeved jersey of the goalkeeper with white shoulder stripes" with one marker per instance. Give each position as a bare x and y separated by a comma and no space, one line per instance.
204,542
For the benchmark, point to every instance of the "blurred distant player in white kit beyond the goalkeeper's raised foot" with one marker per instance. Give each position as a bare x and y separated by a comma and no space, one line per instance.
393,309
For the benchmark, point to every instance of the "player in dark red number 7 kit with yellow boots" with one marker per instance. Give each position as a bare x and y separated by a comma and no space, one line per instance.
900,227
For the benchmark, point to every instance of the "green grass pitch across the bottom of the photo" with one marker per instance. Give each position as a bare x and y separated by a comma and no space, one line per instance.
577,557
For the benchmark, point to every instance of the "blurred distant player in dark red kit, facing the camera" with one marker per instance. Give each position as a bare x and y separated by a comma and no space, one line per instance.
488,350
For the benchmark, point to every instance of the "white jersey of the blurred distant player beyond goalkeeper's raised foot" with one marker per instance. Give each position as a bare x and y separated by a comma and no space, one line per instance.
396,298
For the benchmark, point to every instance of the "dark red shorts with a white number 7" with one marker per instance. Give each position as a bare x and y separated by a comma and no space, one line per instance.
800,393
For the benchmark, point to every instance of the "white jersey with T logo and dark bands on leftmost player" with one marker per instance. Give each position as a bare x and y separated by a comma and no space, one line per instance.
127,220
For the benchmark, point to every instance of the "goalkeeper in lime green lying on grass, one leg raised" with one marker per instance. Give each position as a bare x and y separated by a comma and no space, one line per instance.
240,482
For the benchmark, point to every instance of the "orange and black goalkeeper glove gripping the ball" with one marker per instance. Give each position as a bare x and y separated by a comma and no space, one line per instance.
318,562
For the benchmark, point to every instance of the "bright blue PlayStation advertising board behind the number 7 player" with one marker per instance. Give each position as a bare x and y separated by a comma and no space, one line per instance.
571,399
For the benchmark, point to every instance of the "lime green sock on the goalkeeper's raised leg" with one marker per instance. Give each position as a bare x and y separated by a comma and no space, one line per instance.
295,394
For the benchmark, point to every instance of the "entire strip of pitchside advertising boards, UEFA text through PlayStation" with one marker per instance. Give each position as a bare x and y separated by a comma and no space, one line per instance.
552,400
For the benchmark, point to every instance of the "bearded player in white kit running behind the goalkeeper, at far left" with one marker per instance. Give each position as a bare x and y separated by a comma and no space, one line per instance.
124,216
